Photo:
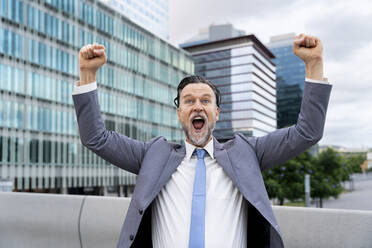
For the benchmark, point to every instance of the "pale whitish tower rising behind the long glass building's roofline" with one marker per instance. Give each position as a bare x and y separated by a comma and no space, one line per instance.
151,15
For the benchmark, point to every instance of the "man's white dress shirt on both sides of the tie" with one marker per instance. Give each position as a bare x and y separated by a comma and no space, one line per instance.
225,214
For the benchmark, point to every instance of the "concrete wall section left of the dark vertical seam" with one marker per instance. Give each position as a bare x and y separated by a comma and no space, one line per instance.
39,220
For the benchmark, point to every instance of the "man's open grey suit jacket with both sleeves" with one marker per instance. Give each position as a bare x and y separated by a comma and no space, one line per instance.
242,159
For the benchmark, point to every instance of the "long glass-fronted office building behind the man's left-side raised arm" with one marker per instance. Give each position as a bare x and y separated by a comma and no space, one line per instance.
40,149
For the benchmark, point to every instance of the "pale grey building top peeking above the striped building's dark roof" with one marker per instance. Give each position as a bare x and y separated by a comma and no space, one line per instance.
212,33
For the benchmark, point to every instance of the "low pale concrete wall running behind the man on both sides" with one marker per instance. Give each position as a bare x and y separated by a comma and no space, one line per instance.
47,220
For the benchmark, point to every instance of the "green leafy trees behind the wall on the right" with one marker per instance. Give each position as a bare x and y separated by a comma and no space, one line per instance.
327,171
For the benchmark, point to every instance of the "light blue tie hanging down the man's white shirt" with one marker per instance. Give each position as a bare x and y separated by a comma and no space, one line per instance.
197,226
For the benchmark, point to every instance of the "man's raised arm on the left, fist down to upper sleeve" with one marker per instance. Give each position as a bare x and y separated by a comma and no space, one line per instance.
117,149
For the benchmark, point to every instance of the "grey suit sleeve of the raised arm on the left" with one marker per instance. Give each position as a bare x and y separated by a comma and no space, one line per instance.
115,148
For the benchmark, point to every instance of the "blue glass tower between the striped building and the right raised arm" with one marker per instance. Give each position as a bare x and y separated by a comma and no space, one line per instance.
290,76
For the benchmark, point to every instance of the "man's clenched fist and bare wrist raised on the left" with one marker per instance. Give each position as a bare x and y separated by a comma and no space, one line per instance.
91,58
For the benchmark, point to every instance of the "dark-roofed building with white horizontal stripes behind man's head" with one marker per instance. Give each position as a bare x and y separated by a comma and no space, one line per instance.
242,70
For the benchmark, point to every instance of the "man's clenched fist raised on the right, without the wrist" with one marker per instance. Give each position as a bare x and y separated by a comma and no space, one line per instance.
308,48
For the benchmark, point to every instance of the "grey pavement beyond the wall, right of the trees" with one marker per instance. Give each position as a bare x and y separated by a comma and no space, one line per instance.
358,199
